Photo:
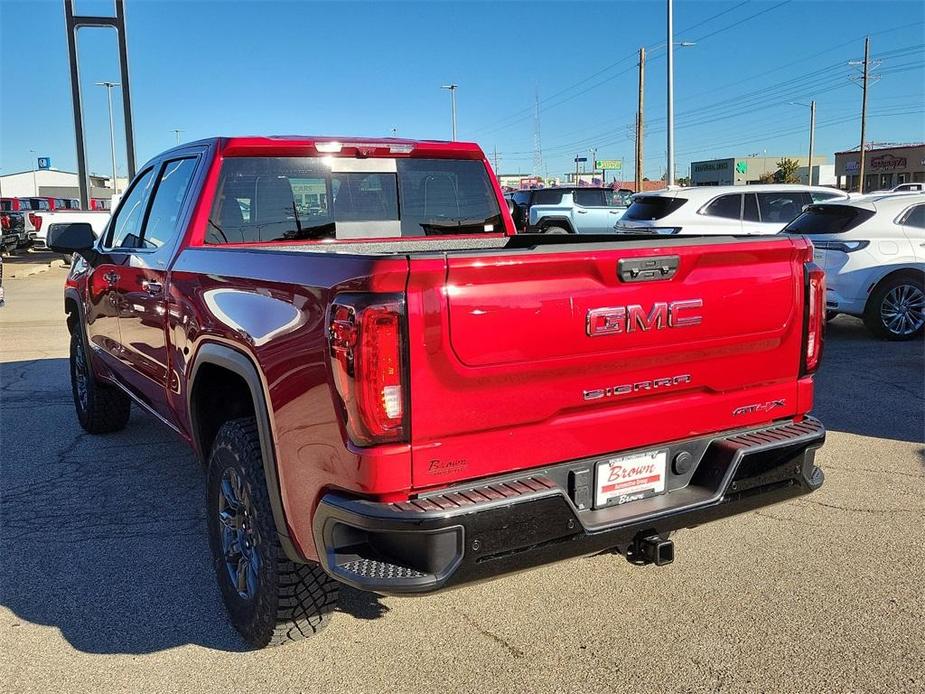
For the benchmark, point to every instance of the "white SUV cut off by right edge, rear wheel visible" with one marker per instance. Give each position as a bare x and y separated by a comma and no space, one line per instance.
873,253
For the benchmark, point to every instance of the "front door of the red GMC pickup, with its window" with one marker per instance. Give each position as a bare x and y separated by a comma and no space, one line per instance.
106,278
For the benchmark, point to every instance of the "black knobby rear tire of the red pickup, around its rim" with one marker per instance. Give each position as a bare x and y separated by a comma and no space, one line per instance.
291,601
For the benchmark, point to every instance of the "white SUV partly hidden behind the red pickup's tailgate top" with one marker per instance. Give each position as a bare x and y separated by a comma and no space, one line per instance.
756,209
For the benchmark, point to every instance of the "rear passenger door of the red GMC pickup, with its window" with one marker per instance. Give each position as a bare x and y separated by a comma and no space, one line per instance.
143,319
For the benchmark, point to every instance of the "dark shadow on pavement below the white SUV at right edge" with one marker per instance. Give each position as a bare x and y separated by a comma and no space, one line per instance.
870,387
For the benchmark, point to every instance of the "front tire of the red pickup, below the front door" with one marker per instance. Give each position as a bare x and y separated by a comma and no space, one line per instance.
101,409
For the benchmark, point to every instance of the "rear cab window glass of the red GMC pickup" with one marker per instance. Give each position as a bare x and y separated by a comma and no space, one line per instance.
297,198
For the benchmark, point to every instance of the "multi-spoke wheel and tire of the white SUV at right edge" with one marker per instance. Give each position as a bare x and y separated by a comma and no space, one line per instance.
896,309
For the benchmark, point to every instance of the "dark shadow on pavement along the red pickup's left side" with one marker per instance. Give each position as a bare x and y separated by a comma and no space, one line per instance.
104,537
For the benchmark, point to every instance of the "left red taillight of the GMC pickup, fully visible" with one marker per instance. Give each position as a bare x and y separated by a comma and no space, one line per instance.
366,347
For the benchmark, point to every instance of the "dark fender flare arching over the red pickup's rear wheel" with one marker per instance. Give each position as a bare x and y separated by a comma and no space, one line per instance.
242,365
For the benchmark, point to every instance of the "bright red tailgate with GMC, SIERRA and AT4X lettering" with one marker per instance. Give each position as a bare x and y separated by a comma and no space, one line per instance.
505,375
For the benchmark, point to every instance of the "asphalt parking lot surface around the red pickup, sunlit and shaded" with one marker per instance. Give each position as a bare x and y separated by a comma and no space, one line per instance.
107,586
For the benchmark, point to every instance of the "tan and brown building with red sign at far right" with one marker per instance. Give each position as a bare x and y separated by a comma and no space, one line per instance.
885,166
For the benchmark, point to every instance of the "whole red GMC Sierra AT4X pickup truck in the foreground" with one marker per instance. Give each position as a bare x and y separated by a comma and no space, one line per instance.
392,390
